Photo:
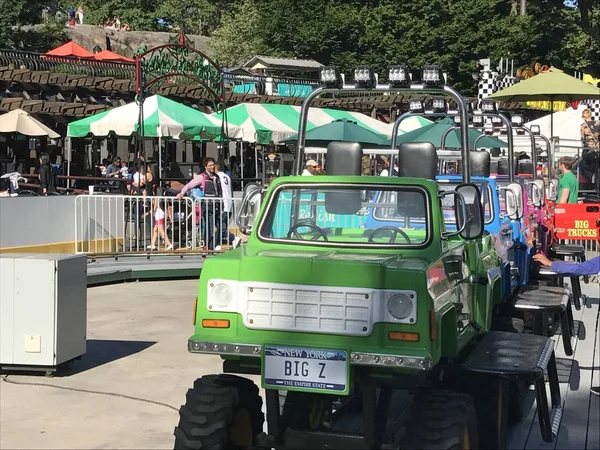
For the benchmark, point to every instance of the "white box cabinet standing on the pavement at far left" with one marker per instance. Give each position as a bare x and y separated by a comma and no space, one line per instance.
43,310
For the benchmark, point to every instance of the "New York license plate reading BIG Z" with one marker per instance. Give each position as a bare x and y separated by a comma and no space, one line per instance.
305,369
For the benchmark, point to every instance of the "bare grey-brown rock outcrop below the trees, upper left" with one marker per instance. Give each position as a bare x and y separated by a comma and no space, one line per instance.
127,42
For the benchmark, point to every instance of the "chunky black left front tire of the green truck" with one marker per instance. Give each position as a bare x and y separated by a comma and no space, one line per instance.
213,407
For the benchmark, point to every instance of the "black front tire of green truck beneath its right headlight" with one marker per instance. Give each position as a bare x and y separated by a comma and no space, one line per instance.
441,421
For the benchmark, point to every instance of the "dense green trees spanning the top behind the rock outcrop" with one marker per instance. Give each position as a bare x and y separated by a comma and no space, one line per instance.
454,33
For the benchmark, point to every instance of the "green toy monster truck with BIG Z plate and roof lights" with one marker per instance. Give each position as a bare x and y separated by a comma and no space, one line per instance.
364,336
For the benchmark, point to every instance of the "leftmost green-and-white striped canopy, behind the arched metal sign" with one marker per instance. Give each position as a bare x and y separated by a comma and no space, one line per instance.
162,117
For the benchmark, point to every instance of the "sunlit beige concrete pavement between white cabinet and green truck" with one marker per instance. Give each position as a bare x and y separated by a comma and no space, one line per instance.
137,346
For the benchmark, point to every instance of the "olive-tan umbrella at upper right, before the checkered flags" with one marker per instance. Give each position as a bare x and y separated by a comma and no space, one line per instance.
551,85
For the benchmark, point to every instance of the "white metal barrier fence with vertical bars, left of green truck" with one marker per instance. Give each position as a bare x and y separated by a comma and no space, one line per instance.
107,224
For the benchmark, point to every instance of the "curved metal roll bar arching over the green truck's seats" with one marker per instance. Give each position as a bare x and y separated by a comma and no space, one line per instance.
462,110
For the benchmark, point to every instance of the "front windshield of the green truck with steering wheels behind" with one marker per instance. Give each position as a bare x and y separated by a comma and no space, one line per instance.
348,215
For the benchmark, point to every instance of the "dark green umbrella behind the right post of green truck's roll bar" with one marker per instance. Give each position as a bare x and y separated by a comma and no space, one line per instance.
435,131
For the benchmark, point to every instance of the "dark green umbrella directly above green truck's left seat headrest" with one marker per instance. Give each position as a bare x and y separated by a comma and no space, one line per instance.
341,130
